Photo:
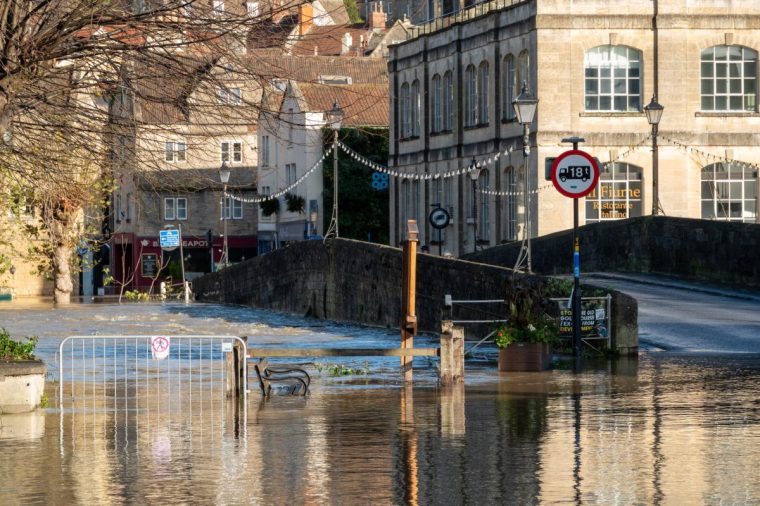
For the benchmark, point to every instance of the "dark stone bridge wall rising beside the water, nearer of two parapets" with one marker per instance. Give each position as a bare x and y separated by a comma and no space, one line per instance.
361,282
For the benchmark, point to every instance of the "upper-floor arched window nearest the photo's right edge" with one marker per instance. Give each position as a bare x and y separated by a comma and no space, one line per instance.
729,79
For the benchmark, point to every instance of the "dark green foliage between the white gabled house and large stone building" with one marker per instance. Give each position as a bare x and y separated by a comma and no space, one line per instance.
363,210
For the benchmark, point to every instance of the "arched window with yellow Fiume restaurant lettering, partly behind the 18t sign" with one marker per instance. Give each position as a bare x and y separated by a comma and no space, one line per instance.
618,194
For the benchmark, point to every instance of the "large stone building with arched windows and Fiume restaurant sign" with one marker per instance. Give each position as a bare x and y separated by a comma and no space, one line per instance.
593,69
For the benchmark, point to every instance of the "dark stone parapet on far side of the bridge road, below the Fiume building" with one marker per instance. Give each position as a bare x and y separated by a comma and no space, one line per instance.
699,250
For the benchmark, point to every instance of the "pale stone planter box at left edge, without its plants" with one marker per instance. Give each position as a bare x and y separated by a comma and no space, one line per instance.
21,385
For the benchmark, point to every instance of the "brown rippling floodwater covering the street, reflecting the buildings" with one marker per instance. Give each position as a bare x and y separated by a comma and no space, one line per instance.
663,429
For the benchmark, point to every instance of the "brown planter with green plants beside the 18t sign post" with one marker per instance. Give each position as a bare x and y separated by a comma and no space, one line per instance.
525,342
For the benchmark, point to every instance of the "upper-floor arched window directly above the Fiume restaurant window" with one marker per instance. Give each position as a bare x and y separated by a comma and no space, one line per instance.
613,79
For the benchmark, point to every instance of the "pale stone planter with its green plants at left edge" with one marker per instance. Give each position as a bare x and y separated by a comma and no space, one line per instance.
22,387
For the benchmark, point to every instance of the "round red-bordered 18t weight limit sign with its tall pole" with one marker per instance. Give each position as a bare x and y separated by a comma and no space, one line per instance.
575,174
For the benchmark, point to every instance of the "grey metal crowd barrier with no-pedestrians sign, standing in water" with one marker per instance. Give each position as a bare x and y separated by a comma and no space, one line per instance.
158,373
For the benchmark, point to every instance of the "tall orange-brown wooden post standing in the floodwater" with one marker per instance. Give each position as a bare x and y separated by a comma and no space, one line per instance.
408,296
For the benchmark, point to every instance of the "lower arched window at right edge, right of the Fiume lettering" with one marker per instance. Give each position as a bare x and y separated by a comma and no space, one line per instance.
729,192
